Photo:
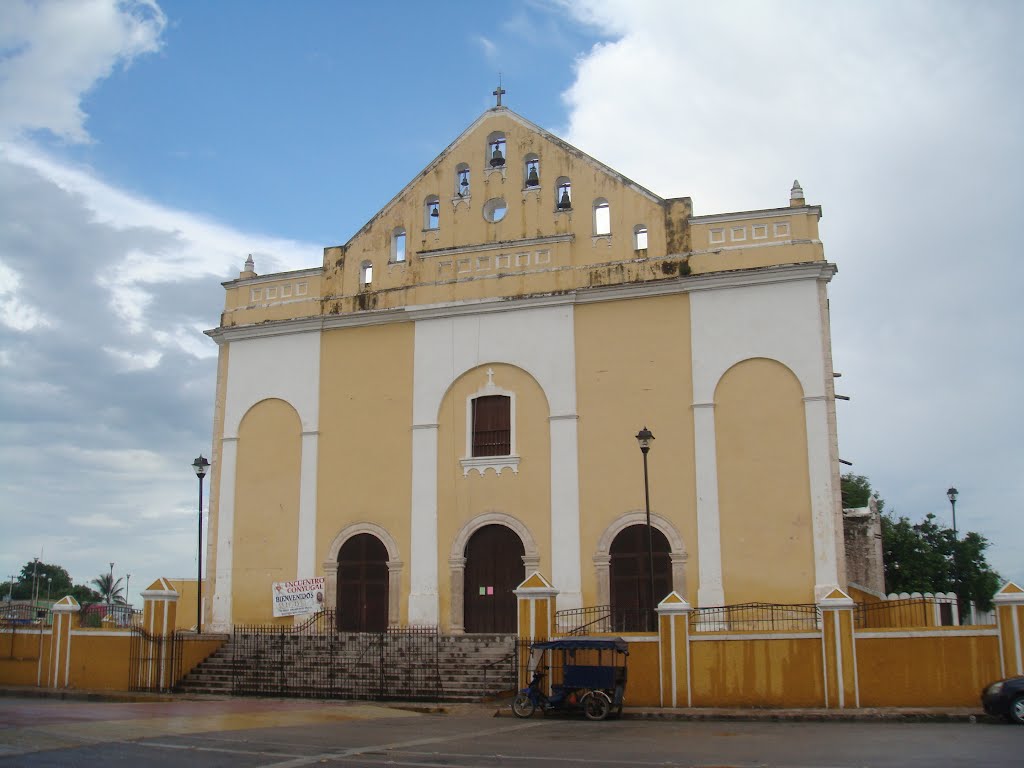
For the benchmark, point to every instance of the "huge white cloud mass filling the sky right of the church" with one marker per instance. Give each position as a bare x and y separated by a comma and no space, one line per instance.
902,120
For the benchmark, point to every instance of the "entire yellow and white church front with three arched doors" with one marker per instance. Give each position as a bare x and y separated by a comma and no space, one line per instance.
450,402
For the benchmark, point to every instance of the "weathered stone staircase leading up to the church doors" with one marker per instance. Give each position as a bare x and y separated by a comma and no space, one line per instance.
470,668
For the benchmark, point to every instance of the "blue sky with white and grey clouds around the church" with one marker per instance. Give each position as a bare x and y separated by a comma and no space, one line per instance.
147,149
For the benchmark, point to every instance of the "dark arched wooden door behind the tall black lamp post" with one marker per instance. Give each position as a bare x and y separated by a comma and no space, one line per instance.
632,605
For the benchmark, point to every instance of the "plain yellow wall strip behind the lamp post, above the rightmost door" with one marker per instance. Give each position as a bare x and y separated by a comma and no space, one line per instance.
633,369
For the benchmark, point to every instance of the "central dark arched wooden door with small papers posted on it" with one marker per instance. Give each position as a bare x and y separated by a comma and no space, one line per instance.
494,569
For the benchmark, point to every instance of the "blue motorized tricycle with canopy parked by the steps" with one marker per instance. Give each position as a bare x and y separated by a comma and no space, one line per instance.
588,674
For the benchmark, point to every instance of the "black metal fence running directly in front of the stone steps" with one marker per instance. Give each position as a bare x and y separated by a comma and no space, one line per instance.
316,661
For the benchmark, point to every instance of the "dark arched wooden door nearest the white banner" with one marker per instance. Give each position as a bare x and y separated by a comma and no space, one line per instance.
363,585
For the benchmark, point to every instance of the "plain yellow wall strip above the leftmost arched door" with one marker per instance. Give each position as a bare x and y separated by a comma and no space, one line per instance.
365,447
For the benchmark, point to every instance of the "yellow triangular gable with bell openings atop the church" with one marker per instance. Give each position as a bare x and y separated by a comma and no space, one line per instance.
543,196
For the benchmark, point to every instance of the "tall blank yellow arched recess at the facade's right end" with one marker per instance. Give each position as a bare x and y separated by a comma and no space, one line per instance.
763,485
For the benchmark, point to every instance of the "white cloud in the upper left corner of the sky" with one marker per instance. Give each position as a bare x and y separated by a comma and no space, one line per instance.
56,52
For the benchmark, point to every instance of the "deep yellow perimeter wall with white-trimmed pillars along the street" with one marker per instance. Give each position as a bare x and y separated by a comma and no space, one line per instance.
837,667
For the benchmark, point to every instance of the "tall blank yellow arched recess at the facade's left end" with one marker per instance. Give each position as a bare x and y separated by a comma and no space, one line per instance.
267,508
